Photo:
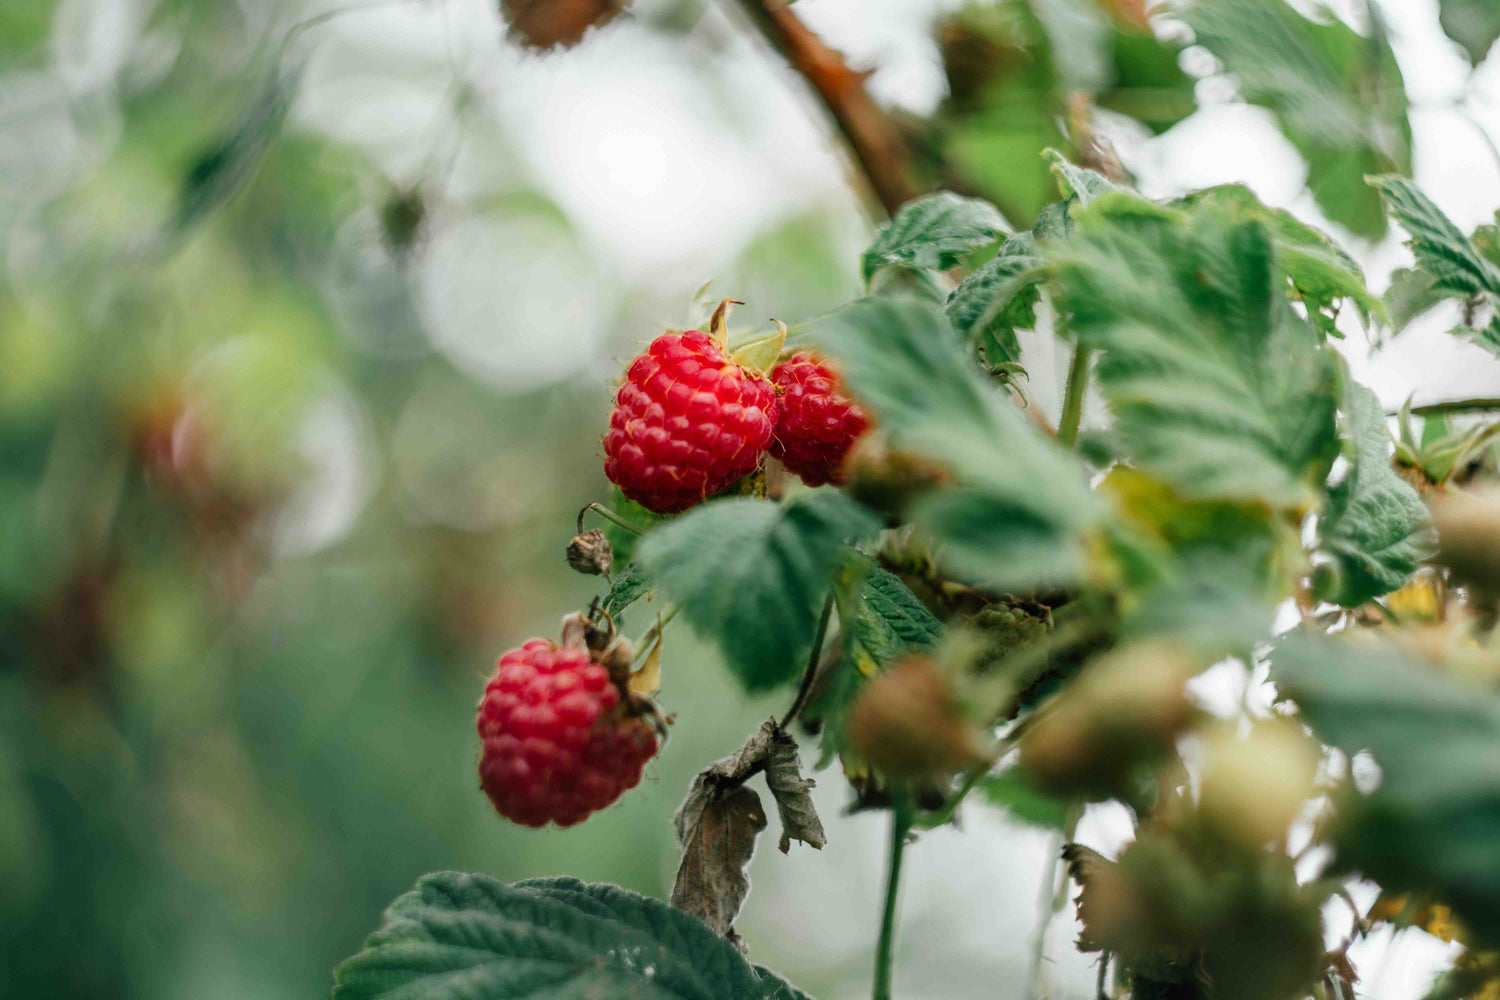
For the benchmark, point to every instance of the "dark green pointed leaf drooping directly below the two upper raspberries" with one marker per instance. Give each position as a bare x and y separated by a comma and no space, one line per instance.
754,575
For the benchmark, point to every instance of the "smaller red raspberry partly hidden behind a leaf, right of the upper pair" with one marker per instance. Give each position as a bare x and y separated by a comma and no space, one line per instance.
818,422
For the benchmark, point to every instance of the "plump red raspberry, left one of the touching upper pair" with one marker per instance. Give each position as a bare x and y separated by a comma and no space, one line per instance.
688,424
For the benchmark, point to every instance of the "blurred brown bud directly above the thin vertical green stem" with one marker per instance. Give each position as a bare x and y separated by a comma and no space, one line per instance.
907,723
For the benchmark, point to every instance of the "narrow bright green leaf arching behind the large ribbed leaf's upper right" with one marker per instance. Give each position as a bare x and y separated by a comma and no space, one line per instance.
1322,272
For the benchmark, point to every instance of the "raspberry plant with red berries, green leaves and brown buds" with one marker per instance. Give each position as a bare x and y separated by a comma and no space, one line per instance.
971,606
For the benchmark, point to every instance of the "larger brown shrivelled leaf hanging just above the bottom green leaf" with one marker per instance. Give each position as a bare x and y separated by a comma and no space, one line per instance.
718,830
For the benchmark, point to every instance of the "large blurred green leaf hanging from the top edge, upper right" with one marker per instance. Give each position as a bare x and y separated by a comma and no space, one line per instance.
1339,97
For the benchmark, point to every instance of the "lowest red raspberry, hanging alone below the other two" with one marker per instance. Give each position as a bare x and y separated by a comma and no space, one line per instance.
557,743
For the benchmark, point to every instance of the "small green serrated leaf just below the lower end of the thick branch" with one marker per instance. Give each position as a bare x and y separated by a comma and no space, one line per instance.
934,233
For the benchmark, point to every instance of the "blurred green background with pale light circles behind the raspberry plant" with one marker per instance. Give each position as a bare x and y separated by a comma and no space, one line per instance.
308,325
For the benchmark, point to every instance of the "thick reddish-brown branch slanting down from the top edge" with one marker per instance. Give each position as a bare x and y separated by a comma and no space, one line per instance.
877,143
